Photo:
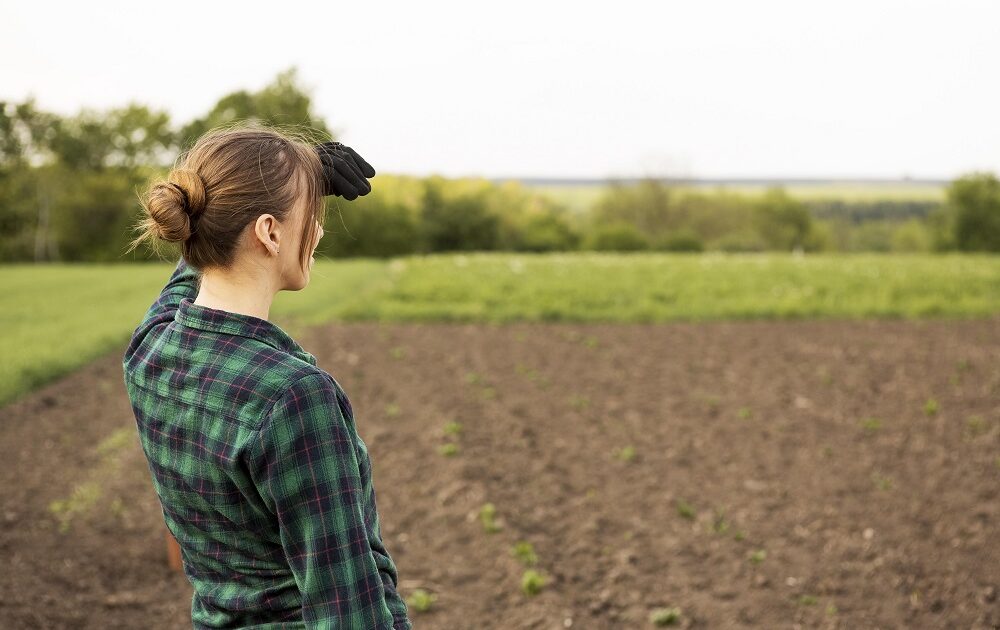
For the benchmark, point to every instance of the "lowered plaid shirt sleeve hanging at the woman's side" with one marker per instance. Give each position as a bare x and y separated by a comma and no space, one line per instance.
308,474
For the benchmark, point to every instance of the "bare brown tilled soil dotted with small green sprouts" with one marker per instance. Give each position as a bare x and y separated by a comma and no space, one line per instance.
807,440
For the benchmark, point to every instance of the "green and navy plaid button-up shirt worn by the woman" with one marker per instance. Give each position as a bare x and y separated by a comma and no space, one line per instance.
261,474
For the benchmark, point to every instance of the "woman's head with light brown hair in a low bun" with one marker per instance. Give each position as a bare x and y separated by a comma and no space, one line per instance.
237,193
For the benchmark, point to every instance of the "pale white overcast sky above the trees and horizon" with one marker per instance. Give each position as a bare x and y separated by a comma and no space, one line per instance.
562,89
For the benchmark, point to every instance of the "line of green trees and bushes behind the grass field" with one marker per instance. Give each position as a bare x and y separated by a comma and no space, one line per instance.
68,192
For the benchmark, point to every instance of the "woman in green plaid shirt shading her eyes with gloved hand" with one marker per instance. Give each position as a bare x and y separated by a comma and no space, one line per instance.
253,449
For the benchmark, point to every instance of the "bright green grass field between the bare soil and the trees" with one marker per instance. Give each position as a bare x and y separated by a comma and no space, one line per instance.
58,317
